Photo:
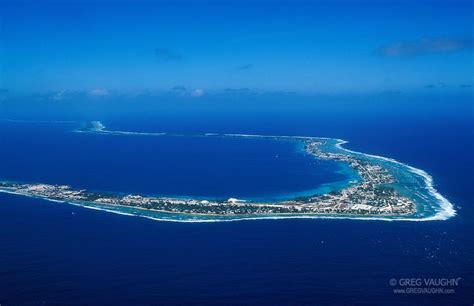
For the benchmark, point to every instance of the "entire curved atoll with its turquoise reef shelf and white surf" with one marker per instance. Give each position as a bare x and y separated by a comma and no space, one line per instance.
385,188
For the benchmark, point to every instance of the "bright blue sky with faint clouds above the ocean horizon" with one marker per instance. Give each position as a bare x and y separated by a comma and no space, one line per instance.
196,48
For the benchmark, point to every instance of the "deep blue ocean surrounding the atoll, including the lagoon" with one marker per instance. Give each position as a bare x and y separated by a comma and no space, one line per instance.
54,254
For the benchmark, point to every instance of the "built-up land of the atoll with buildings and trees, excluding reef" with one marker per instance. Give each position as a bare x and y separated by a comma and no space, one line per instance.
370,196
